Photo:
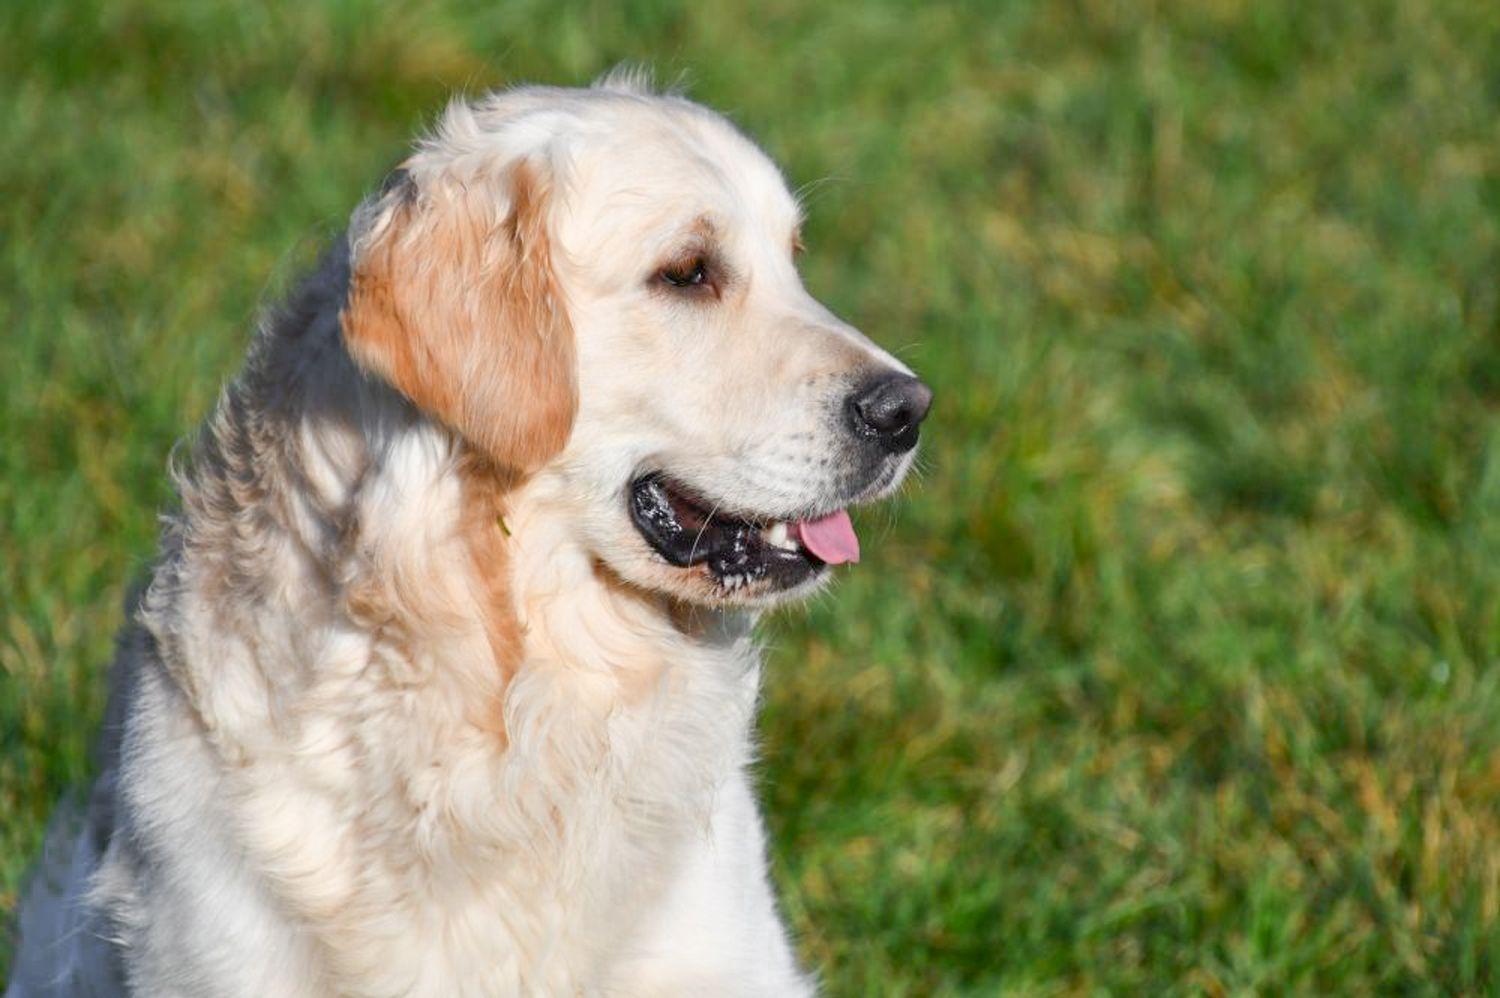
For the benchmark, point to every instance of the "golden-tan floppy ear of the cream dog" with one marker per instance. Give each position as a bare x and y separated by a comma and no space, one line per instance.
454,301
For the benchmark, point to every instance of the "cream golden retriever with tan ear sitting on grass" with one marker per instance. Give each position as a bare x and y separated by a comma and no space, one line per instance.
445,679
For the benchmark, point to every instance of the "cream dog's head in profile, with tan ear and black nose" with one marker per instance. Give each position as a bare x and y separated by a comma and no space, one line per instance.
601,286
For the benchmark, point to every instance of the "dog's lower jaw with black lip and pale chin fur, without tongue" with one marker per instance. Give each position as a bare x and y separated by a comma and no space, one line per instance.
701,555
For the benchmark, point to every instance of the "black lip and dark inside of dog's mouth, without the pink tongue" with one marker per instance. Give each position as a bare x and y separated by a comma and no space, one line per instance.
686,531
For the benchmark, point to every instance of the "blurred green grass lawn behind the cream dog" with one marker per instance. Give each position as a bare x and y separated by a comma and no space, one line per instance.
1178,672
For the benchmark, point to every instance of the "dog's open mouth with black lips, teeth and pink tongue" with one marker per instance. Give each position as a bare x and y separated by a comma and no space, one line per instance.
688,531
